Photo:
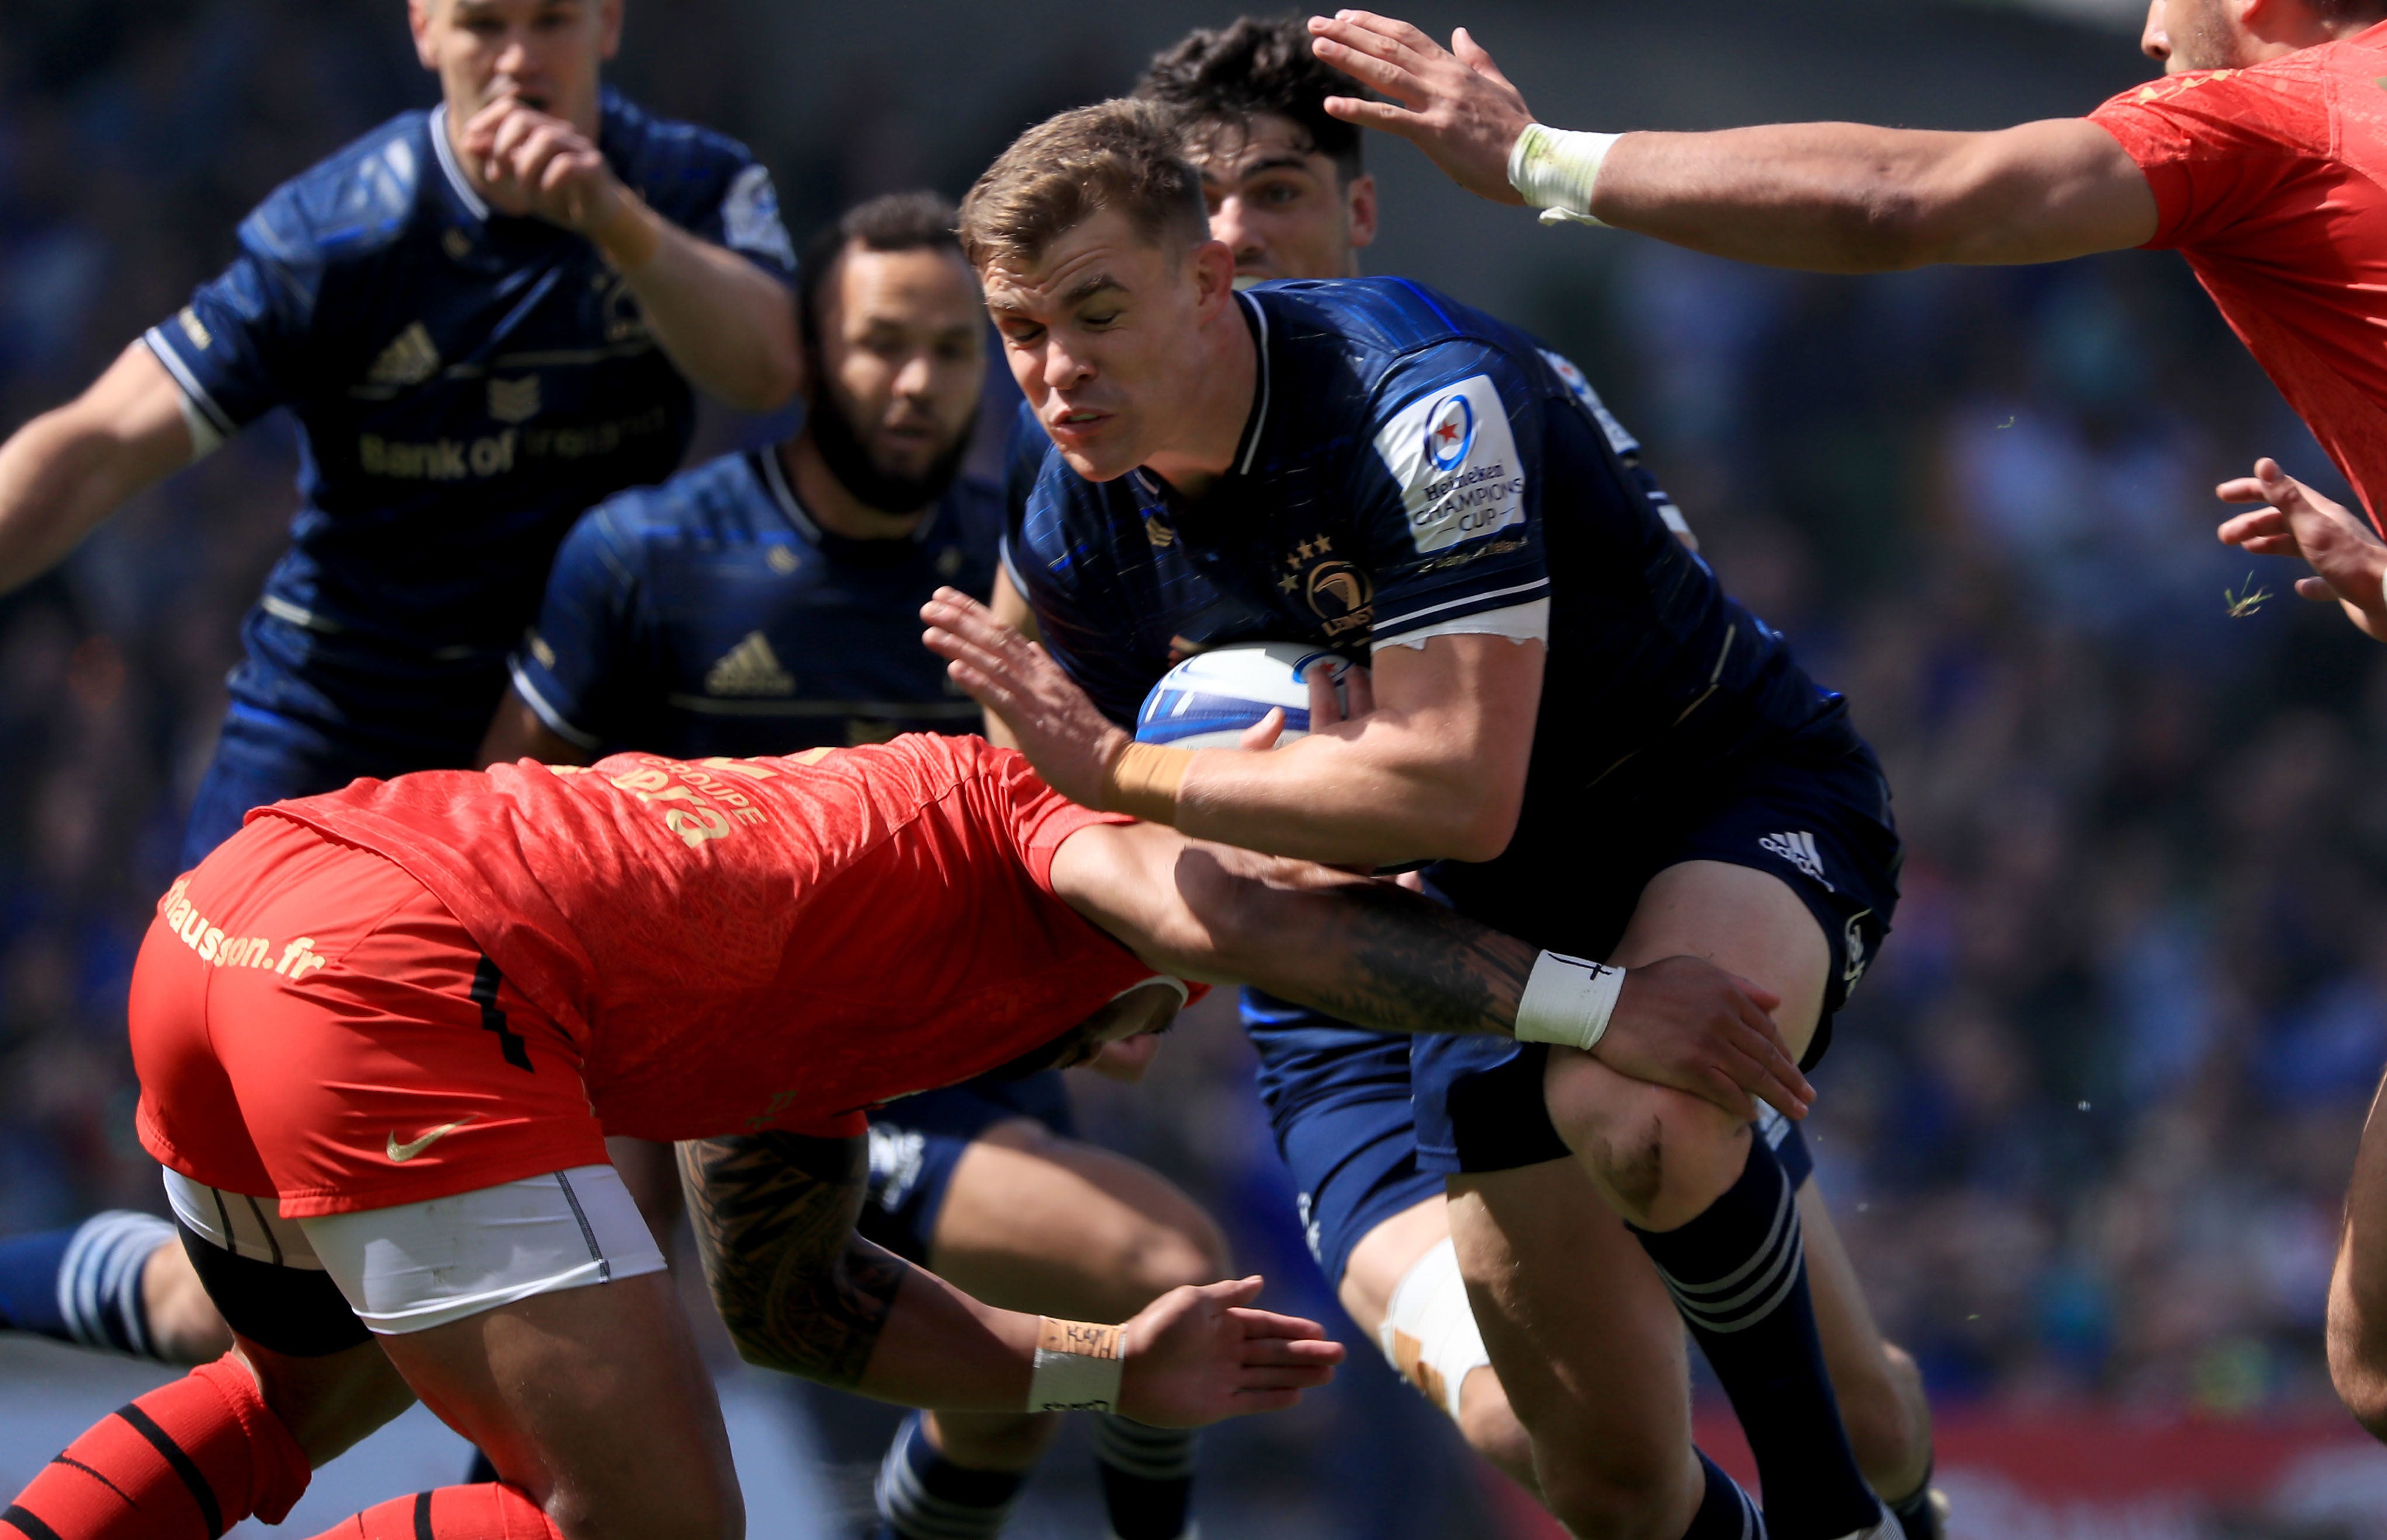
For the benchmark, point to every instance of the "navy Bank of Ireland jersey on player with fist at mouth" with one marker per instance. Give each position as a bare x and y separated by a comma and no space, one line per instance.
467,383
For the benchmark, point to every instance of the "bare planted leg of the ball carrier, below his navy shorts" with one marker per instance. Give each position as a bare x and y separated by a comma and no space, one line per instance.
1584,1341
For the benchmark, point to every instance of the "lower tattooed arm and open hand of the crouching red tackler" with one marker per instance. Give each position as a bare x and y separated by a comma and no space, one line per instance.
803,1293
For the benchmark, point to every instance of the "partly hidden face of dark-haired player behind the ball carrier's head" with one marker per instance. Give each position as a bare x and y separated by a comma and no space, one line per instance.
1278,204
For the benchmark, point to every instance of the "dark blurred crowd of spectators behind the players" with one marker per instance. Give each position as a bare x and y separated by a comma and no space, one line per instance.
2090,1119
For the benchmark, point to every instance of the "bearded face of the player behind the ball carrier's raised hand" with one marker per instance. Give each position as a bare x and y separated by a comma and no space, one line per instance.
903,347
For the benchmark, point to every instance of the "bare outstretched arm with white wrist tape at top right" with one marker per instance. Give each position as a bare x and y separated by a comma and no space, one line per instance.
1820,197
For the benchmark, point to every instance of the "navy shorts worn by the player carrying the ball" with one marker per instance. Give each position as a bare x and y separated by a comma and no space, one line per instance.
1813,813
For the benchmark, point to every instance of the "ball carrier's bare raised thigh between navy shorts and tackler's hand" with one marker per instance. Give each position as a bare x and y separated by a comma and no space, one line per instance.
1744,920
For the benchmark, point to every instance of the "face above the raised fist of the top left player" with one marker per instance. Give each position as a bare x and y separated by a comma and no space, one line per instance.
543,54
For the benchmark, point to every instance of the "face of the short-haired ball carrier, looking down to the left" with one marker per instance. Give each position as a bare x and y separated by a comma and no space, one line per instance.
1099,331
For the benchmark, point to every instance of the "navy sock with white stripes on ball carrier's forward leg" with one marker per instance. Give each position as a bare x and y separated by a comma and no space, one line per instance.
1739,1276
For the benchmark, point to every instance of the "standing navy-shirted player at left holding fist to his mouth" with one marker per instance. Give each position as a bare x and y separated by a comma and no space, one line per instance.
486,319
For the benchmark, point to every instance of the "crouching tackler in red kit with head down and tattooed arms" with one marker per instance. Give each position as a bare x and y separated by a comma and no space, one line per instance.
386,1033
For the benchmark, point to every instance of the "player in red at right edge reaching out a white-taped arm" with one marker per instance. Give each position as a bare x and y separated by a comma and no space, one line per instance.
2259,159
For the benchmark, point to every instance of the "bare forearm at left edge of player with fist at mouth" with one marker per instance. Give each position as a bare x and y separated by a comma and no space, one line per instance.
70,469
